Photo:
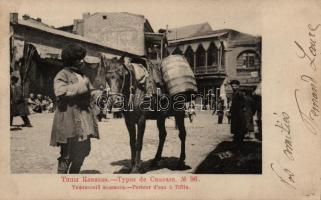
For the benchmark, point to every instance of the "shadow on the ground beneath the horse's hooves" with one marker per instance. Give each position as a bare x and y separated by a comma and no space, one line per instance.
146,166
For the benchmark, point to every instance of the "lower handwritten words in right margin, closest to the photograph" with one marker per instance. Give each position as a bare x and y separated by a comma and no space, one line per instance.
285,175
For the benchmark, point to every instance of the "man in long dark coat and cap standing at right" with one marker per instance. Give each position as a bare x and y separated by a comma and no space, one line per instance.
238,122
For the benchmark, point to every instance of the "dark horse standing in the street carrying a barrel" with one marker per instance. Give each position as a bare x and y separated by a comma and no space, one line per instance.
122,82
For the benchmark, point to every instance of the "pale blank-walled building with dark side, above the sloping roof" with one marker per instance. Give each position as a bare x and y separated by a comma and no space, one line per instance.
124,31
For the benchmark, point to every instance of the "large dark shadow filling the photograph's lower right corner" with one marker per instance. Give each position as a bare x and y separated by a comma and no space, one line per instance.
229,158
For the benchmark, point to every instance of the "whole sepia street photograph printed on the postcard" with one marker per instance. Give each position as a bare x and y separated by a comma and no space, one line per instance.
110,93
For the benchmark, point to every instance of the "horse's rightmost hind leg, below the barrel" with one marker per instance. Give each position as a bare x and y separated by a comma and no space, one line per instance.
179,117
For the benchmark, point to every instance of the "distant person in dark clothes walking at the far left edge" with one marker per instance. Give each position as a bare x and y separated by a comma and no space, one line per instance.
18,105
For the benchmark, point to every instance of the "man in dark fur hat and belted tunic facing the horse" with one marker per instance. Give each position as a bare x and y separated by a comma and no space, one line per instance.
74,121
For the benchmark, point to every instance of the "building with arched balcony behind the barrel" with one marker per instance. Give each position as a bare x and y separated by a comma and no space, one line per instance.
217,56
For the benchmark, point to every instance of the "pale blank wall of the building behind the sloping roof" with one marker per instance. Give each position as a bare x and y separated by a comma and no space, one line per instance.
119,30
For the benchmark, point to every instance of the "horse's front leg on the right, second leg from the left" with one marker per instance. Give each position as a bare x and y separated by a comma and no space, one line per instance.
139,142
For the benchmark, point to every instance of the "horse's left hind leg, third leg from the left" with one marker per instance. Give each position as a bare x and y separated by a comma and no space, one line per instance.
162,137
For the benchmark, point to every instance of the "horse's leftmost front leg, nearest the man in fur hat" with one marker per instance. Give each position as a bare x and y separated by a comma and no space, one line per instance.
132,138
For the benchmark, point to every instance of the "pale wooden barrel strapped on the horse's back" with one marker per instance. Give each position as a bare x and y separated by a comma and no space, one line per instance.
178,75
